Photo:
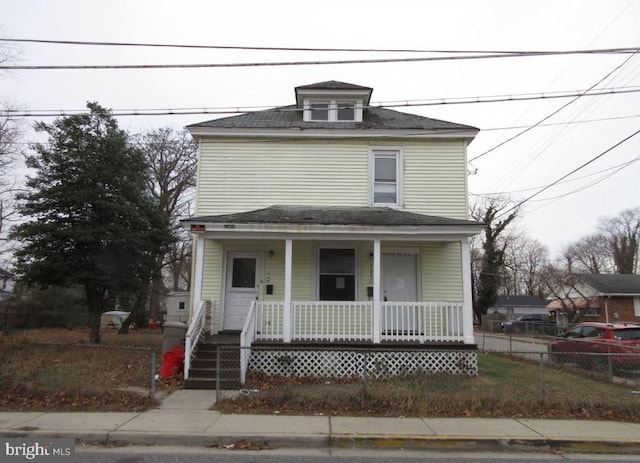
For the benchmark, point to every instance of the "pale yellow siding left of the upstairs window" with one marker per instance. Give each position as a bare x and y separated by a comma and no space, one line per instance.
239,176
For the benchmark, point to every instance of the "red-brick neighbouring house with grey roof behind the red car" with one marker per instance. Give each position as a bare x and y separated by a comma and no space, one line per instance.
601,298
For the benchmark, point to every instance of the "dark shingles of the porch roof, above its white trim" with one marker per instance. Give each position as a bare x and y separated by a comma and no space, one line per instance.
332,215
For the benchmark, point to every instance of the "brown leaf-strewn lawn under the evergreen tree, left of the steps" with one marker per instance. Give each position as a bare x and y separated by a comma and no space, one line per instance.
56,369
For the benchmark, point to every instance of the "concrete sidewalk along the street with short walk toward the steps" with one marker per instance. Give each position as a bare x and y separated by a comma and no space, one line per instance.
184,418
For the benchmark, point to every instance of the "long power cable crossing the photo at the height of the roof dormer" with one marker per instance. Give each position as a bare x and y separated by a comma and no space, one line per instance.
406,103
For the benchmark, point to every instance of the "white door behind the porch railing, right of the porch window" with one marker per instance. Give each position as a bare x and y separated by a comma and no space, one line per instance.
400,284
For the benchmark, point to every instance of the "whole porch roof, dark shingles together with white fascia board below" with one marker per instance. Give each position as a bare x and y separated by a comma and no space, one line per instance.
330,219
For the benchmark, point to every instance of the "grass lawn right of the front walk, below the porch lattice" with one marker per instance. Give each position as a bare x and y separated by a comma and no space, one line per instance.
505,387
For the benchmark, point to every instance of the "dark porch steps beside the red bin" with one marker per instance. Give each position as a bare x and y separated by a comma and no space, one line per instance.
205,370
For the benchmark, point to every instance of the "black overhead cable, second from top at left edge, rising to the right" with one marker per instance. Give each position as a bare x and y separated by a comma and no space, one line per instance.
317,63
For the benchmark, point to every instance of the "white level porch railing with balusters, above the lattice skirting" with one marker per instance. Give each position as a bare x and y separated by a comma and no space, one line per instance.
353,321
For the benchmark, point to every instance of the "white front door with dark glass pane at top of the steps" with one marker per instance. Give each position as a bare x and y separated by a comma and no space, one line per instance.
242,288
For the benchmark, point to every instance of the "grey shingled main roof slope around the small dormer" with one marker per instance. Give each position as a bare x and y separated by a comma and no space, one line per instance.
290,117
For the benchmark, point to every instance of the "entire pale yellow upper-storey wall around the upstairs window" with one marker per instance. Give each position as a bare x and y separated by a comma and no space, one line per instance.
236,175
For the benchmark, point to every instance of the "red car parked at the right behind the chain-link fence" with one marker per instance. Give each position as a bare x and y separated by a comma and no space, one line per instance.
599,346
